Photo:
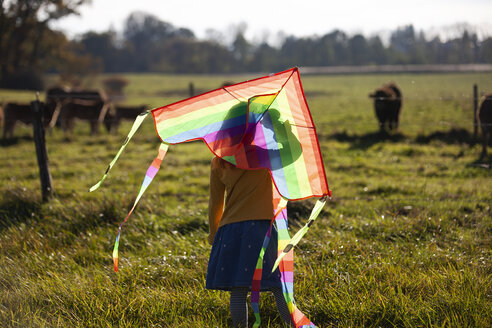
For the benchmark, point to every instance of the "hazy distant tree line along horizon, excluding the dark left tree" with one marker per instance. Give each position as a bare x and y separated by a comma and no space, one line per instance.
151,45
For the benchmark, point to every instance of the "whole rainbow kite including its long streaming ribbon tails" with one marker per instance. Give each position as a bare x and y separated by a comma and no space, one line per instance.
262,123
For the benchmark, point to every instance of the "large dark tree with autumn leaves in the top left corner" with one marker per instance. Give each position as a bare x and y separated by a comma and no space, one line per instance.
24,40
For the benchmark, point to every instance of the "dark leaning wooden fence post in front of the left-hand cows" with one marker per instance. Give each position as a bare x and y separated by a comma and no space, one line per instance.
39,140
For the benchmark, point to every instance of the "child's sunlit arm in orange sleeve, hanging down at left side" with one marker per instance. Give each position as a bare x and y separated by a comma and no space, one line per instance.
216,203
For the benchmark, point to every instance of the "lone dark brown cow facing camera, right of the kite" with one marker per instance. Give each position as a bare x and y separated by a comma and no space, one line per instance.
387,105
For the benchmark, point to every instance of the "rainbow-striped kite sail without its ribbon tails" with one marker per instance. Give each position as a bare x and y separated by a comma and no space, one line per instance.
262,123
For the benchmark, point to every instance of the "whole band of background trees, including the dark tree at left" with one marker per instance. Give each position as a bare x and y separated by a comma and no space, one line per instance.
29,47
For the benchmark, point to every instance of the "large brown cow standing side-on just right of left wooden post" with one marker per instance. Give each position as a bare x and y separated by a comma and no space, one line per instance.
69,105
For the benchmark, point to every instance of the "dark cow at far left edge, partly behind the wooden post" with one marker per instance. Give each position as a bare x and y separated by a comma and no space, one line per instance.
15,112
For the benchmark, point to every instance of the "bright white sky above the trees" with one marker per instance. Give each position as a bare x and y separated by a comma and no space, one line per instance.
293,17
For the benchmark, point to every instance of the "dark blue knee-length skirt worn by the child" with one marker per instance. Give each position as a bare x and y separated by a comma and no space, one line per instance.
235,253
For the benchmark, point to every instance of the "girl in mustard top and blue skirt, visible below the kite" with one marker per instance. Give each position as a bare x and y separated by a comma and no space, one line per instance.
237,228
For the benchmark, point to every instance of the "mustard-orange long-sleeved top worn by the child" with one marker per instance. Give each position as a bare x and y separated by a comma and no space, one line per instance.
247,194
